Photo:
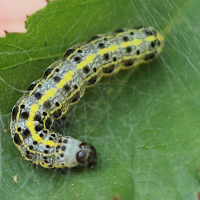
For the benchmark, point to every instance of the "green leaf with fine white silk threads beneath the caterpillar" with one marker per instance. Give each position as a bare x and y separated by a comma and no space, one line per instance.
144,123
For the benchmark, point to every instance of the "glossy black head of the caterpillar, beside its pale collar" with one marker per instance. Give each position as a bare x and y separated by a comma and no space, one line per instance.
87,156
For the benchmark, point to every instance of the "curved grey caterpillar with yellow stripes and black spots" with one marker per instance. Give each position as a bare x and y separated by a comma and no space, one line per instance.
63,84
